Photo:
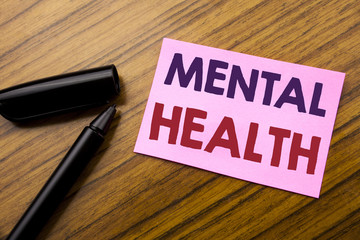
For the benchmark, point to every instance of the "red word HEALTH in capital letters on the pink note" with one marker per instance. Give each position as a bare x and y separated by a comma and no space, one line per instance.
227,126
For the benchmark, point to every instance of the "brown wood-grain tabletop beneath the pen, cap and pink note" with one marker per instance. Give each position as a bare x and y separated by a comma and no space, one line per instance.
123,195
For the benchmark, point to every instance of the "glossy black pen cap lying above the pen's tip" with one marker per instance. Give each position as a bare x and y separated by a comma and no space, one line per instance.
59,93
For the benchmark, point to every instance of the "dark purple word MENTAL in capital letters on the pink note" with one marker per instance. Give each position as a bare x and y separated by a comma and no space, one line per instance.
237,78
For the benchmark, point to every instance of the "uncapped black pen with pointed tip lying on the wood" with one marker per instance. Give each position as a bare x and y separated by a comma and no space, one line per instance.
63,177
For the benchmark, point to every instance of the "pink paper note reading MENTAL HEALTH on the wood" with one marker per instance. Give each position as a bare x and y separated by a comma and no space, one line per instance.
248,117
